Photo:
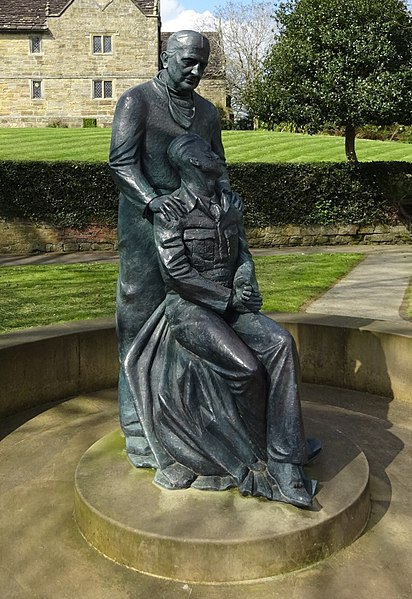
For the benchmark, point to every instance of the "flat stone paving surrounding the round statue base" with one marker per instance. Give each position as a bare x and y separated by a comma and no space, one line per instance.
42,554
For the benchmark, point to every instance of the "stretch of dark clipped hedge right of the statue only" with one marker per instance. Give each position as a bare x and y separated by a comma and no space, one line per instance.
309,194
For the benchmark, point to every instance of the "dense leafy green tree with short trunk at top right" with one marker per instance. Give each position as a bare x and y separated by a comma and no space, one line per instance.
347,63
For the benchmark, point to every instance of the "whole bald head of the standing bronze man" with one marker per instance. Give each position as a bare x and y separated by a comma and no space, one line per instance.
185,60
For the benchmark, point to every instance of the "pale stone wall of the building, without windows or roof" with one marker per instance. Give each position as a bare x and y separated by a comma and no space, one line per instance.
67,66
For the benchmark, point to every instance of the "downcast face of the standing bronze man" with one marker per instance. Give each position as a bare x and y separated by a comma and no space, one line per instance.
185,67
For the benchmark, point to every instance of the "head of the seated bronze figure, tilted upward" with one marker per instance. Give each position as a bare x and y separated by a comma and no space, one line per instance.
190,151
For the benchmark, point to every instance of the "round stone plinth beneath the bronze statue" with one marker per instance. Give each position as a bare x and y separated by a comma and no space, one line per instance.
212,536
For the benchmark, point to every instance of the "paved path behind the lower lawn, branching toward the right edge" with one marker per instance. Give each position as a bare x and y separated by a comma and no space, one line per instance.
376,288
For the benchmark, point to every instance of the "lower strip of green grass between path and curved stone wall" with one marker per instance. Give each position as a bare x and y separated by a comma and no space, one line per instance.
39,295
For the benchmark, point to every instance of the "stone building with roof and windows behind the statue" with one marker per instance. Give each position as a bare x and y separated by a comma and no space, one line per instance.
64,61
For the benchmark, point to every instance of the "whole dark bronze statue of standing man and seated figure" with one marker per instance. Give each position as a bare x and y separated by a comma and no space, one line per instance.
209,386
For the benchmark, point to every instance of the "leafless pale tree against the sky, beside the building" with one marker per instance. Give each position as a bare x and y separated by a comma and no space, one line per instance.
245,35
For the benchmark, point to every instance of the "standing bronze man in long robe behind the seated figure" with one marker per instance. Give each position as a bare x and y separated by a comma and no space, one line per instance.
147,118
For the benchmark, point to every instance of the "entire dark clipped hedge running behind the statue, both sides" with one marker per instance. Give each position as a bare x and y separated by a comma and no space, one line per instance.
77,194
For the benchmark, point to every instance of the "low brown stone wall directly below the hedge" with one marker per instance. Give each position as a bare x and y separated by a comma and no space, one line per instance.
20,237
